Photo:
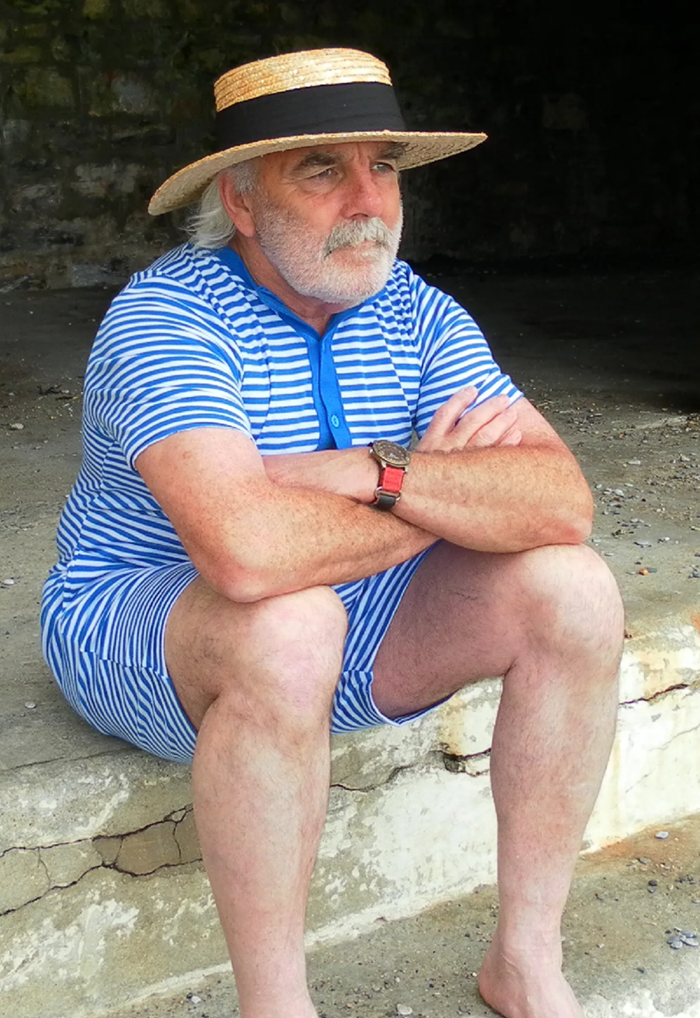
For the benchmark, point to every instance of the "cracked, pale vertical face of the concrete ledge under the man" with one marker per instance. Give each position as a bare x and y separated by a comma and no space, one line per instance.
103,897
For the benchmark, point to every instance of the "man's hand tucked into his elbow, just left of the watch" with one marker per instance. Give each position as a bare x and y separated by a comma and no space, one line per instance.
351,473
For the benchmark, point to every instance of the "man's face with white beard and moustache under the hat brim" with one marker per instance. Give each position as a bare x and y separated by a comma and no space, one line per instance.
329,219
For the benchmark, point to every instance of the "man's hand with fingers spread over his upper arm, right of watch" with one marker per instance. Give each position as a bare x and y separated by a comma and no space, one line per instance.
455,427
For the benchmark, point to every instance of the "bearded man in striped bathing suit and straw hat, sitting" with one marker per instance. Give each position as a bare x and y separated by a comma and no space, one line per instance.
238,565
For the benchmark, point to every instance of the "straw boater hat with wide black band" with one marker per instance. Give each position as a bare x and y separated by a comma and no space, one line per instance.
314,97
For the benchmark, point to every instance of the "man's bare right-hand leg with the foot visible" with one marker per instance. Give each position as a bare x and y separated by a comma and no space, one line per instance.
551,623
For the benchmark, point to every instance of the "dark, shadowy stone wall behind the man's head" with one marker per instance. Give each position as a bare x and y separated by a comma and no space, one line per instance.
592,110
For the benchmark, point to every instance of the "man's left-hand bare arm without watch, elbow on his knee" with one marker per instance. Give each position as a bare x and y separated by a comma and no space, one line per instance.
251,538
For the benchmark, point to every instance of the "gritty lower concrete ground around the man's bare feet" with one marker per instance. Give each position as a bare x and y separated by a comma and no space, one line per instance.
626,903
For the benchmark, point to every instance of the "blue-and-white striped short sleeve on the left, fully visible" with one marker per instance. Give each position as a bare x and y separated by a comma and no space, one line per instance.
163,363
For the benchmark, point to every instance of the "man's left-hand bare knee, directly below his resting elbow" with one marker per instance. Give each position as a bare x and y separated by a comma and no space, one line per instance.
287,667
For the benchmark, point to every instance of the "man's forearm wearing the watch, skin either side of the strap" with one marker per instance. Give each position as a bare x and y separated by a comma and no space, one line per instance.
496,499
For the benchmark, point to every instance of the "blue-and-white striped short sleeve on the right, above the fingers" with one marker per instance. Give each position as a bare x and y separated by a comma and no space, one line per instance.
454,355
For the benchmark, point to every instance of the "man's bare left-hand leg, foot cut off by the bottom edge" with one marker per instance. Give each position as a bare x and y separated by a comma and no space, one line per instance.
258,682
